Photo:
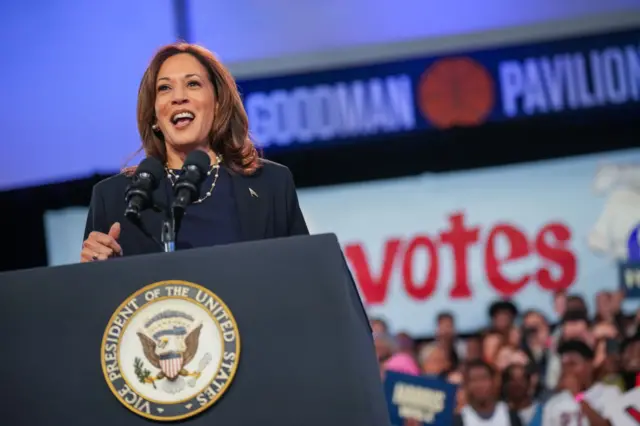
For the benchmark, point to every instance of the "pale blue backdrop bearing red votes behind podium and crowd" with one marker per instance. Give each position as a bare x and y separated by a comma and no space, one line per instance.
458,241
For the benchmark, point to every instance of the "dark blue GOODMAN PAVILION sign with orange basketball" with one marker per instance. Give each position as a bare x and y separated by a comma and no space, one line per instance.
463,89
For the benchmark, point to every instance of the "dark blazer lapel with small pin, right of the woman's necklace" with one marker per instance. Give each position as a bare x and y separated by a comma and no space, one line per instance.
252,206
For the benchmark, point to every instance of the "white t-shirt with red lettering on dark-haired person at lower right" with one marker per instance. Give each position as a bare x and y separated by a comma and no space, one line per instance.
563,410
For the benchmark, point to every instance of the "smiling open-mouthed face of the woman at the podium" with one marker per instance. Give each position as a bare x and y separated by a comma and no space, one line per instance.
185,102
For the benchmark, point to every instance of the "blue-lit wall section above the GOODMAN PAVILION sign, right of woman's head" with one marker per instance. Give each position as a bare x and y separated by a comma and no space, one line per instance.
297,31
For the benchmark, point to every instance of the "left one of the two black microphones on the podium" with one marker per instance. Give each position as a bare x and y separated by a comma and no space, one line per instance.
145,180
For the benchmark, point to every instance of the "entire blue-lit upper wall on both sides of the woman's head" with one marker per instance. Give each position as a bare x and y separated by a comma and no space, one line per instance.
80,63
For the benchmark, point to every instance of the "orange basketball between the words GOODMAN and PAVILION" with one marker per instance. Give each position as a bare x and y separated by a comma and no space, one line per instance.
456,92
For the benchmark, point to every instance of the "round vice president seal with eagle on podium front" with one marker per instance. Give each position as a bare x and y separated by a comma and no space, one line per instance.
170,350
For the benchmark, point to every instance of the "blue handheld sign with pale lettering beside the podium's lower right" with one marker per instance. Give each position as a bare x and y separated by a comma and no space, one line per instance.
423,399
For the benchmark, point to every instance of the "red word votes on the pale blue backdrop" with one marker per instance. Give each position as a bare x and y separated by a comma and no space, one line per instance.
551,243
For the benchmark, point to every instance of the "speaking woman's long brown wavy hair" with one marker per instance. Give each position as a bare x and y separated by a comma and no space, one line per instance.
229,135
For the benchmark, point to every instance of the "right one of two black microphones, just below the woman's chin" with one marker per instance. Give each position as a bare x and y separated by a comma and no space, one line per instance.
187,187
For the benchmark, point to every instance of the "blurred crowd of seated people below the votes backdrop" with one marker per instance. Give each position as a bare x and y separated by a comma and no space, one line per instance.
523,370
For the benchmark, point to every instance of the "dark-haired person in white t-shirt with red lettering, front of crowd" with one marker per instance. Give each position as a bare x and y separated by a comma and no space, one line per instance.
579,396
